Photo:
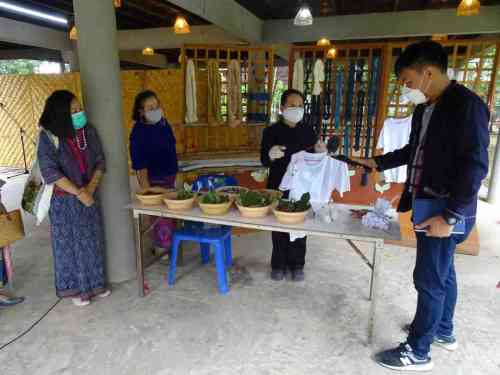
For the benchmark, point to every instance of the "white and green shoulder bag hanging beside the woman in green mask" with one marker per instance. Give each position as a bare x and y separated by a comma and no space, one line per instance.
37,194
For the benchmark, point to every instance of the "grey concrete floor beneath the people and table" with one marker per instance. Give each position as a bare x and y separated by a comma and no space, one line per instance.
261,327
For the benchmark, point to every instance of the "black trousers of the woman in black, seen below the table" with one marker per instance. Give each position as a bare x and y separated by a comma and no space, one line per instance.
287,254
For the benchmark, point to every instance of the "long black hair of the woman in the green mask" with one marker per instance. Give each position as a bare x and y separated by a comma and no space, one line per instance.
56,116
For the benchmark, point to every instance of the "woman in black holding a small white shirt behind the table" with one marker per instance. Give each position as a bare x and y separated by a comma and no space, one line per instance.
279,142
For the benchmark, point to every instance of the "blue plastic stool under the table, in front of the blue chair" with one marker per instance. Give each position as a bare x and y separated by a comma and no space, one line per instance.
220,238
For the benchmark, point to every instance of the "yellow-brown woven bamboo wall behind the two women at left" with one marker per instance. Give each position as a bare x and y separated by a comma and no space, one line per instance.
25,96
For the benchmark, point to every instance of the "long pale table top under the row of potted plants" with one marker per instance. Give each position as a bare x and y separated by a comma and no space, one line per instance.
343,226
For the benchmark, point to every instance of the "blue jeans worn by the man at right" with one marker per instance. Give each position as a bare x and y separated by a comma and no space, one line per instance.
436,284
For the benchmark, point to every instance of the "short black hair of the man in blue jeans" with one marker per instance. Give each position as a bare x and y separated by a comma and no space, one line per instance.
418,55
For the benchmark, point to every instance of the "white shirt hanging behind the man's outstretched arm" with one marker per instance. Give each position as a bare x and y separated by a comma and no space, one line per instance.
395,134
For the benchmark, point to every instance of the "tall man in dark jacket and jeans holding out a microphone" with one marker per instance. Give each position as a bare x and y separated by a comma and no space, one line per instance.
447,159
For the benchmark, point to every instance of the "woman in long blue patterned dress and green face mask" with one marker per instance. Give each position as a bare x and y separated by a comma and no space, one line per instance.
70,156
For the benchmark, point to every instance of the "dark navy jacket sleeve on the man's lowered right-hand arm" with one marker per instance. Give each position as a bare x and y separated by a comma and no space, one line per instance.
471,157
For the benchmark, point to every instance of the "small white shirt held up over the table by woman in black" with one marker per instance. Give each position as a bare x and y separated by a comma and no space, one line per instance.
316,174
